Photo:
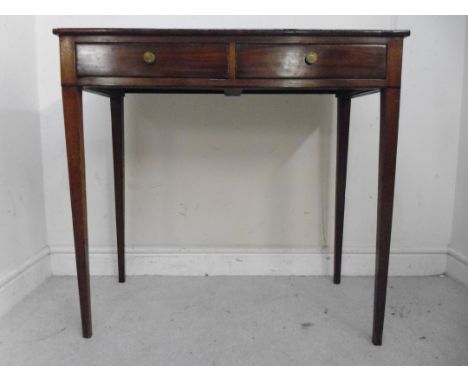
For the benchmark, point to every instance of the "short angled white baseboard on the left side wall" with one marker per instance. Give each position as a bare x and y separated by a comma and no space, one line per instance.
22,281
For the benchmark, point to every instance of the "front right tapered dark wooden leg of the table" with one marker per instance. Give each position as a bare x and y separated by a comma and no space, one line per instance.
389,111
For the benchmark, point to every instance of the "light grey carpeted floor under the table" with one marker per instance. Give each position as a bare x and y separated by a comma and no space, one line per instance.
239,321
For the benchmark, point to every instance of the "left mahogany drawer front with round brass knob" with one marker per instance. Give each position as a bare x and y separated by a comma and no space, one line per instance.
162,60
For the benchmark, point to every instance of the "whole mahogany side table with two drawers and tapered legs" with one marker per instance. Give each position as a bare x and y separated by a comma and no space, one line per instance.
347,63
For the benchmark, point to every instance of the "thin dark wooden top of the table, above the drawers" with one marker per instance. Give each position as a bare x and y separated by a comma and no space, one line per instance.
223,32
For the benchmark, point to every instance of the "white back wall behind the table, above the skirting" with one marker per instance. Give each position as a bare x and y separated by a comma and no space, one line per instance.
258,172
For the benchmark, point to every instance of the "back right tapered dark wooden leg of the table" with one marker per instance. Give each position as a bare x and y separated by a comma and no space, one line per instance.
344,111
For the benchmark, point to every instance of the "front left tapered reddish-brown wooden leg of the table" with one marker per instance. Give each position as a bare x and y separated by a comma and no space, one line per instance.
73,116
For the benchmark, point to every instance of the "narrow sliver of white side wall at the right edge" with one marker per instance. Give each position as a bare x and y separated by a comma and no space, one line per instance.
458,265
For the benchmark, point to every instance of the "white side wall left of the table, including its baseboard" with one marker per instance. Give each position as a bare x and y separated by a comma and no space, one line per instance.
22,216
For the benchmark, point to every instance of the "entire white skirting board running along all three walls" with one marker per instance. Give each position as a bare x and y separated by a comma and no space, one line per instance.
199,262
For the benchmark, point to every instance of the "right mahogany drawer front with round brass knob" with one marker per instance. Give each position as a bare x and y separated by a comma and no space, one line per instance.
325,61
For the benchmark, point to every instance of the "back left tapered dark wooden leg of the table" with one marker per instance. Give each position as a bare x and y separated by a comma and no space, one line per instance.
117,113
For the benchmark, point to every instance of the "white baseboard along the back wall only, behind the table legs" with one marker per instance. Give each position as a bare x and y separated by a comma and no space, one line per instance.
244,261
